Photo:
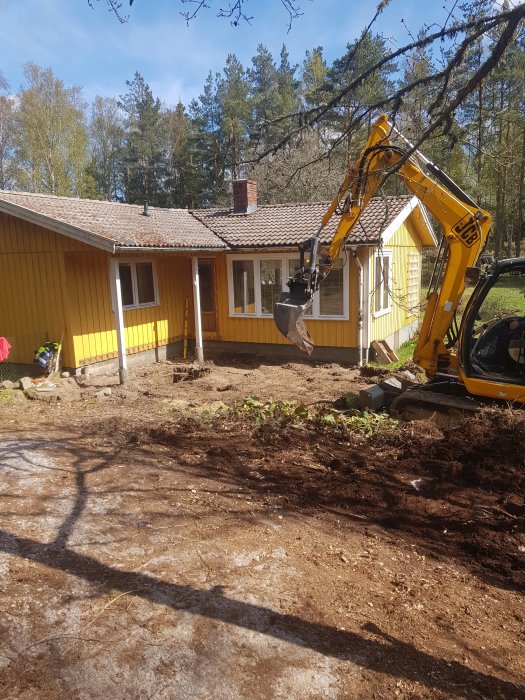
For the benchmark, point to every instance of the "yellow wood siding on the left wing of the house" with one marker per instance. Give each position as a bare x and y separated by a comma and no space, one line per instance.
53,287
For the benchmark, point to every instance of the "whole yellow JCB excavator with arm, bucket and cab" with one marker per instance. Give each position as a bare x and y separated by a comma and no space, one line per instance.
476,358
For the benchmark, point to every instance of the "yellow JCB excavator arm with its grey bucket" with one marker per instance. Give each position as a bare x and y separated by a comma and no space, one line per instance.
465,228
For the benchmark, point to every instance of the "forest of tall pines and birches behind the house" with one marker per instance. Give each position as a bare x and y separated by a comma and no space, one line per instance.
292,128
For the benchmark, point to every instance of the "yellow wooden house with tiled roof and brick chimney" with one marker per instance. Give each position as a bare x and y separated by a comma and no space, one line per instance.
119,283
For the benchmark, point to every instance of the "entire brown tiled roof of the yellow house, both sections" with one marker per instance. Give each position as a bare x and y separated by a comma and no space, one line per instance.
124,225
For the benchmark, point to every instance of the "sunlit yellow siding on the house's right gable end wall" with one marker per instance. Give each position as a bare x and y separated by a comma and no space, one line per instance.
402,244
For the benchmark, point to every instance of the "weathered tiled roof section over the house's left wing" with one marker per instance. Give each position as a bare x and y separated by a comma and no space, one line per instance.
121,224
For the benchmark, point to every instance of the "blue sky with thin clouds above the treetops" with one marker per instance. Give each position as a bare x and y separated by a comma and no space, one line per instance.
90,48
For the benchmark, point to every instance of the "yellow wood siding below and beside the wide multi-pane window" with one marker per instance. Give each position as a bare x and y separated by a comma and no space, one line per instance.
327,333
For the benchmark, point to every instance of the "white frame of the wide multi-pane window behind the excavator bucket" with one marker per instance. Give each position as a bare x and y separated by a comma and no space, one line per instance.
285,262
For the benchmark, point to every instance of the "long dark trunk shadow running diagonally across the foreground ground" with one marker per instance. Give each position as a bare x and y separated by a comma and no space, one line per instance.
381,653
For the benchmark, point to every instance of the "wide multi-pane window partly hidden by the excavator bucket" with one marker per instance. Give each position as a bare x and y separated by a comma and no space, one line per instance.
257,282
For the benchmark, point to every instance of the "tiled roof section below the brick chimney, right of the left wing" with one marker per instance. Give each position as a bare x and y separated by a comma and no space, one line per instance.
291,224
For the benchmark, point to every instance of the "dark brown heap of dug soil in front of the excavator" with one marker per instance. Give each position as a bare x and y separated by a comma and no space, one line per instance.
457,492
